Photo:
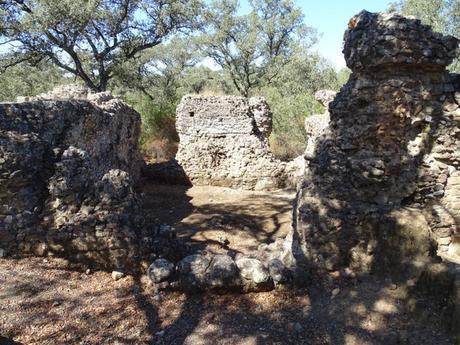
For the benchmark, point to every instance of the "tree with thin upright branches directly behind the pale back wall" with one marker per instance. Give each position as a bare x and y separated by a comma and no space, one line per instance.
254,48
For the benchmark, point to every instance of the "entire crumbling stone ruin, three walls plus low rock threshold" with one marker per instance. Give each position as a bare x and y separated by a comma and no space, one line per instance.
381,183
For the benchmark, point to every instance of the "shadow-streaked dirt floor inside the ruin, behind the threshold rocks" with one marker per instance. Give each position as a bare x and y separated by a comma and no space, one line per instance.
205,217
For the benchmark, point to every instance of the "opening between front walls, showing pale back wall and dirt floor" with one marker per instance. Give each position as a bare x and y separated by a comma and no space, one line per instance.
224,191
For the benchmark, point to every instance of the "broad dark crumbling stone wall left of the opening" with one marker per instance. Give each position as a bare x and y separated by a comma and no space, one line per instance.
68,164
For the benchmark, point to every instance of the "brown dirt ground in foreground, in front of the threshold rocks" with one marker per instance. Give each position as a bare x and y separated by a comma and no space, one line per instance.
42,302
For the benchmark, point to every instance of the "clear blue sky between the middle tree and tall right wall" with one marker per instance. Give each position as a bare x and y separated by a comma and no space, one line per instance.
330,18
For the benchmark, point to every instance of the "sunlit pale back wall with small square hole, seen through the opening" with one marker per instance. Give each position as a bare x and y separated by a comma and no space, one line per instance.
224,142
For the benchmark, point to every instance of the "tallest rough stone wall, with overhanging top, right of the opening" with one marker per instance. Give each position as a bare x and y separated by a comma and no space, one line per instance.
382,182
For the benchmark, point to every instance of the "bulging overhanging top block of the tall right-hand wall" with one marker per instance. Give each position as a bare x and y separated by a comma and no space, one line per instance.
376,39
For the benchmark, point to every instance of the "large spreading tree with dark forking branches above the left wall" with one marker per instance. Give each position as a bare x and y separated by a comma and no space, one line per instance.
90,38
